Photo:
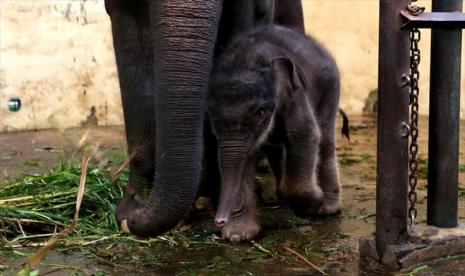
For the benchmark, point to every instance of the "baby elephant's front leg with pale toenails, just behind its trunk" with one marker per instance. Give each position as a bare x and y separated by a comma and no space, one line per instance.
243,224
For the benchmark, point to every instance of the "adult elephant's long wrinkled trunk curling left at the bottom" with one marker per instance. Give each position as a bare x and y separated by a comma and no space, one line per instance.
184,33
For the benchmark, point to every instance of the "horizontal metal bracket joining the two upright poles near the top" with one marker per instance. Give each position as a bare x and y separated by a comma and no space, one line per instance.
430,20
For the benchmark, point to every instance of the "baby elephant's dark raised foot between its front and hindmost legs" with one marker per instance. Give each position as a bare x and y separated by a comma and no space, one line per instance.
304,201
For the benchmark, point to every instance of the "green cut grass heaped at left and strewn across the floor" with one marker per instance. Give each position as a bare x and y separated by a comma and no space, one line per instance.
34,207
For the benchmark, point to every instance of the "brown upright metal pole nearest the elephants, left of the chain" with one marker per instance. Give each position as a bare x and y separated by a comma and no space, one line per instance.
392,152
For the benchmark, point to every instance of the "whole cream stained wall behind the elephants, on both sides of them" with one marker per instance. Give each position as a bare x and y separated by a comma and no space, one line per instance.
57,56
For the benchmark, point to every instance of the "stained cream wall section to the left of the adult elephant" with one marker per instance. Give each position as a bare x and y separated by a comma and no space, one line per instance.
57,56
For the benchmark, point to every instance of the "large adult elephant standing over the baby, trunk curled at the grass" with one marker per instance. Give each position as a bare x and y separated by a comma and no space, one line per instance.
164,51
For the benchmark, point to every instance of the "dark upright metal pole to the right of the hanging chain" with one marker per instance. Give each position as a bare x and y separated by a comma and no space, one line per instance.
444,120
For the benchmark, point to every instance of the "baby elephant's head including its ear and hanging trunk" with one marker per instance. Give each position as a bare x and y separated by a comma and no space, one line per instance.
242,106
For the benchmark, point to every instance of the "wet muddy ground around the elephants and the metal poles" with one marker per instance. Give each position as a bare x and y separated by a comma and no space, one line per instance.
329,243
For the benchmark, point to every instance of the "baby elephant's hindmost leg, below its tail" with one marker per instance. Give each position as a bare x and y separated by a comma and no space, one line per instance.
328,176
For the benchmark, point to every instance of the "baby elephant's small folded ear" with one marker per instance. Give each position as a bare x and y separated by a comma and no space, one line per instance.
285,73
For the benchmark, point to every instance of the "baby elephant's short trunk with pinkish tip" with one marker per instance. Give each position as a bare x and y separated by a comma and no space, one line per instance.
232,157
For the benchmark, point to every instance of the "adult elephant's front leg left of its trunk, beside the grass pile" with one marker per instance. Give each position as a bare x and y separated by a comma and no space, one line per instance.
134,53
